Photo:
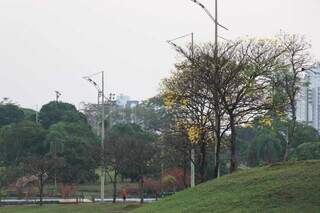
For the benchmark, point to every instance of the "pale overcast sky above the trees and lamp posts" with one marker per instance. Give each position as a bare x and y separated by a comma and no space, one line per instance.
48,45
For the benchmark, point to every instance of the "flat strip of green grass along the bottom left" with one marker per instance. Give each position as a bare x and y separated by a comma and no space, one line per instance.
80,208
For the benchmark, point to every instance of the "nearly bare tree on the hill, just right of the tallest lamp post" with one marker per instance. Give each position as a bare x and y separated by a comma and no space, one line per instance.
245,90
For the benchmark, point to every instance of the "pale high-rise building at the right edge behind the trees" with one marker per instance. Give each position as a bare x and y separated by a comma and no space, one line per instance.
308,104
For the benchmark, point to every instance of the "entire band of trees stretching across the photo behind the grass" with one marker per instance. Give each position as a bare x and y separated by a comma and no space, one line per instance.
233,104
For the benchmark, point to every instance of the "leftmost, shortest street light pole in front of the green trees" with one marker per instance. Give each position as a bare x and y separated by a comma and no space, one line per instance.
100,91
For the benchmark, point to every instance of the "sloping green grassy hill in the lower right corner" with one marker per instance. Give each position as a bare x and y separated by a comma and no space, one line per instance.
288,187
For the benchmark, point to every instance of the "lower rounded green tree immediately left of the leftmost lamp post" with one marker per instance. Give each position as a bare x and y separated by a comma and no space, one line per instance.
75,143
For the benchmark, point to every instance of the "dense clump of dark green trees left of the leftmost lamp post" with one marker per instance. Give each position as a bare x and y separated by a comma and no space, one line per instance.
54,147
